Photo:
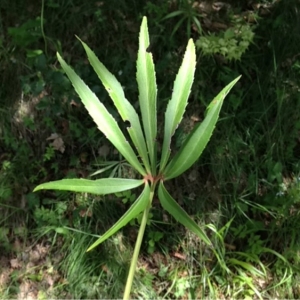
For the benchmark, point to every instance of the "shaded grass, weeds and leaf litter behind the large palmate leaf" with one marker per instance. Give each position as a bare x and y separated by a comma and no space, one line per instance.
244,191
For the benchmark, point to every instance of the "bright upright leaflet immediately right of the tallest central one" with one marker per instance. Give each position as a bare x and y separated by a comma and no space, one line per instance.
178,102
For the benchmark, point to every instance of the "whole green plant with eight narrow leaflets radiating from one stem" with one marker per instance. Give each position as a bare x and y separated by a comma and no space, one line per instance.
154,174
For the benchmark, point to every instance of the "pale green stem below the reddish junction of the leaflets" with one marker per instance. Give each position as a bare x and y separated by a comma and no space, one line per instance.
137,247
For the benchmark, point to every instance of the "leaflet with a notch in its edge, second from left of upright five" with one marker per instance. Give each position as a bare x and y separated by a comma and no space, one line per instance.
124,107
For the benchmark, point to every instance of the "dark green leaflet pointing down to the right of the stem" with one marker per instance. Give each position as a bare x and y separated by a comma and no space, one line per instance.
173,208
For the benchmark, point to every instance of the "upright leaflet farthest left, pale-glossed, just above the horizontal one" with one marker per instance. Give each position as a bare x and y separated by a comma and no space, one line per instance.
104,120
